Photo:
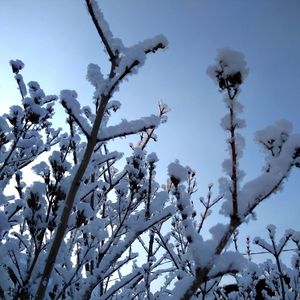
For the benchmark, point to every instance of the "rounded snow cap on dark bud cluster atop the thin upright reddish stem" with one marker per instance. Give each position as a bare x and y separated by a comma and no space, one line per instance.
230,69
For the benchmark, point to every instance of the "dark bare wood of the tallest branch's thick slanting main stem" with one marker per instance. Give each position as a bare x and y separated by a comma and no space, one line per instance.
113,81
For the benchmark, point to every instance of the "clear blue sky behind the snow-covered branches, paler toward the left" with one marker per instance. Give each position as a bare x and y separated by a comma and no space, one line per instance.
56,40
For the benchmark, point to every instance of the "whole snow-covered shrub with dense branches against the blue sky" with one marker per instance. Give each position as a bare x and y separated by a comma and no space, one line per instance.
74,233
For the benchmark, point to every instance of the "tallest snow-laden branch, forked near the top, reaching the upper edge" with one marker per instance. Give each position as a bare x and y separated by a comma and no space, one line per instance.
121,66
